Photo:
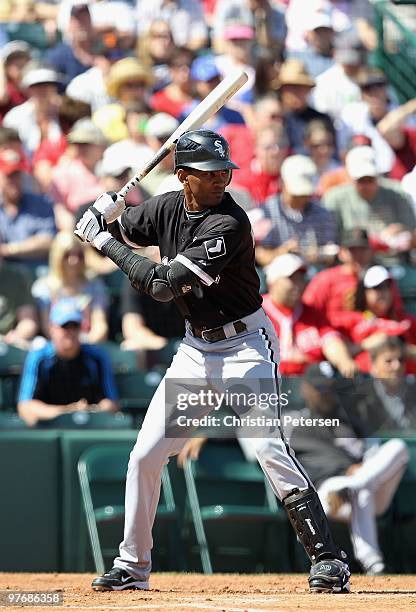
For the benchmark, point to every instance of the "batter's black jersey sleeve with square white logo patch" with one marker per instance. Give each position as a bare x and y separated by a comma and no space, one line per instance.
209,254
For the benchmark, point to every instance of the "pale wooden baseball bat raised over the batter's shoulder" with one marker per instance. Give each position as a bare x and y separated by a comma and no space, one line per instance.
205,109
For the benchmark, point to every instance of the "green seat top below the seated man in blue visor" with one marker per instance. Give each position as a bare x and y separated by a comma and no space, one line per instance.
89,420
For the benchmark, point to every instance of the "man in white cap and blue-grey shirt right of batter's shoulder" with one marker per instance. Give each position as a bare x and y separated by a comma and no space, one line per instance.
296,221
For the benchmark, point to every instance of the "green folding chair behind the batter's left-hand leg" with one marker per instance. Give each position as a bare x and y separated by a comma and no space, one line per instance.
102,472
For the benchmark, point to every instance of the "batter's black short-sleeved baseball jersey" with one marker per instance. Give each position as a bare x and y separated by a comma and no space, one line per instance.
215,244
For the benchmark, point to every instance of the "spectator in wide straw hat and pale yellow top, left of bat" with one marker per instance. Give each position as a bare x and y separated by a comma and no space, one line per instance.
128,82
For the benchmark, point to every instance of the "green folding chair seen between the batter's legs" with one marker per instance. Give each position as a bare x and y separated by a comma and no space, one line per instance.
226,494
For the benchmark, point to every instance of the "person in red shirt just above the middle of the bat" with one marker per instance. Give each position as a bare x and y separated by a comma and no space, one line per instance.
177,96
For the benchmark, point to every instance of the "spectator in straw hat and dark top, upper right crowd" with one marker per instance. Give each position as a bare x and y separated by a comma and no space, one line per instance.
295,85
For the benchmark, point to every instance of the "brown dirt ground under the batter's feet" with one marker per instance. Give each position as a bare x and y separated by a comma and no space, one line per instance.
227,592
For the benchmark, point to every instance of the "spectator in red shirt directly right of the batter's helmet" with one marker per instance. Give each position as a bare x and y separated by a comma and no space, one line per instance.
263,178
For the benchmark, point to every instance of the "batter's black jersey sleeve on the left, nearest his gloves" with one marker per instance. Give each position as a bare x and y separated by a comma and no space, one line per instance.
137,224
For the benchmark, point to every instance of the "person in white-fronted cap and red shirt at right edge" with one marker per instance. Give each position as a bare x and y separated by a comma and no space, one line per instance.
375,317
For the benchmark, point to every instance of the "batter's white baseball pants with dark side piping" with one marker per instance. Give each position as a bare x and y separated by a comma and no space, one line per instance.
251,355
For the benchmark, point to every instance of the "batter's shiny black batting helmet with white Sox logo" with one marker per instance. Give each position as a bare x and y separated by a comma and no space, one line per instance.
203,150
